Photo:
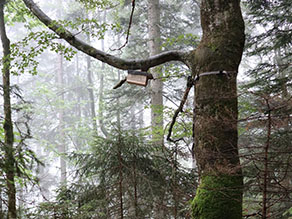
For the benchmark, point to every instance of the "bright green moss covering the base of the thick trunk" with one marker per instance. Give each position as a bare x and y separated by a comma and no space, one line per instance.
218,197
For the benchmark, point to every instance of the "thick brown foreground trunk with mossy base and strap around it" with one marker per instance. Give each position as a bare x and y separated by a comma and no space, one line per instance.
220,192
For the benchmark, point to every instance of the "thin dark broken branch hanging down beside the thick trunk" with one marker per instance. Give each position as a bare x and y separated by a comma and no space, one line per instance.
190,83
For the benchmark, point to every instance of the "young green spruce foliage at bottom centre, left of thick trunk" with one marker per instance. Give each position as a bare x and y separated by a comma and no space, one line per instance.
122,175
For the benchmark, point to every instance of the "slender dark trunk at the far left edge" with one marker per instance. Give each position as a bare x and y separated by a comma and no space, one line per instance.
9,168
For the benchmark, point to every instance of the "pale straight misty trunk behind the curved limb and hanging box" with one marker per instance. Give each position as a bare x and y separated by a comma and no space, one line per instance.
156,85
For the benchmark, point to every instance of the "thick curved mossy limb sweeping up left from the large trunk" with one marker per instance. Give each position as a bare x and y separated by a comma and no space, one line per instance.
114,61
